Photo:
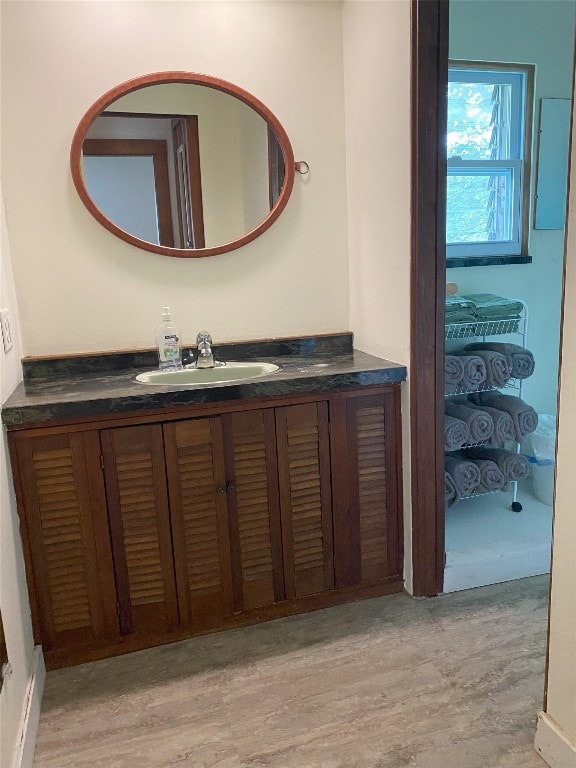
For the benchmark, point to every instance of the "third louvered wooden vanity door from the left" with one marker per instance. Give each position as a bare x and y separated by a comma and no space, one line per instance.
198,505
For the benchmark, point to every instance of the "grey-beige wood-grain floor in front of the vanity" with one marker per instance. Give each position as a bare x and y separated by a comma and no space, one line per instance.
392,682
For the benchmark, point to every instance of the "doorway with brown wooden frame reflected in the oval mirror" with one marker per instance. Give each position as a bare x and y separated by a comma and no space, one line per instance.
143,173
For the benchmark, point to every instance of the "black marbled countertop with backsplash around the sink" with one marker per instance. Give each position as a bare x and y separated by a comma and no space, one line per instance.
67,392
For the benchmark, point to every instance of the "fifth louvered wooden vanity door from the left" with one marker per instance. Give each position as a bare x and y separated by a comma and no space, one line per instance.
305,498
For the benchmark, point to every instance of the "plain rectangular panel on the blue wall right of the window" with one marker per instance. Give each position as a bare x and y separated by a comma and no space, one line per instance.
552,178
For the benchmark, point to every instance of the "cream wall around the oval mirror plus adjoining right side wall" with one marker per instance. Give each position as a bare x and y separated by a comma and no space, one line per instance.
292,280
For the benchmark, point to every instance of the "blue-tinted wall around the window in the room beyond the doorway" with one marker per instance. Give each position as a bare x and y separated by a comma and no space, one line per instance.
539,32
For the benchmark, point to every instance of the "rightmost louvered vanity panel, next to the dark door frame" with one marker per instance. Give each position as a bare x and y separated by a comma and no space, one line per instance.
366,487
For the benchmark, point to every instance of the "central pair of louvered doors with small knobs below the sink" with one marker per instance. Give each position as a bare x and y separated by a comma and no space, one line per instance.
225,518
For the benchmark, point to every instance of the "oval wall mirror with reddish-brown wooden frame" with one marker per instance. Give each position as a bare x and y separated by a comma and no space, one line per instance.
182,164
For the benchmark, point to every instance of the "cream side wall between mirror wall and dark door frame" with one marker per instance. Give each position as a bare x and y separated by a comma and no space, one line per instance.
377,99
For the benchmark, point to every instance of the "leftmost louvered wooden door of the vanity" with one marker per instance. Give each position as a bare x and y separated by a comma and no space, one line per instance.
63,505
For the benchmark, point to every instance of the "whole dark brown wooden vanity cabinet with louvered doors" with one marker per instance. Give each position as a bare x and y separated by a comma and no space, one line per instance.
143,533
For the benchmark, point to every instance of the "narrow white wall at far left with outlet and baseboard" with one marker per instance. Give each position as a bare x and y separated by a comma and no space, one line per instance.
21,692
